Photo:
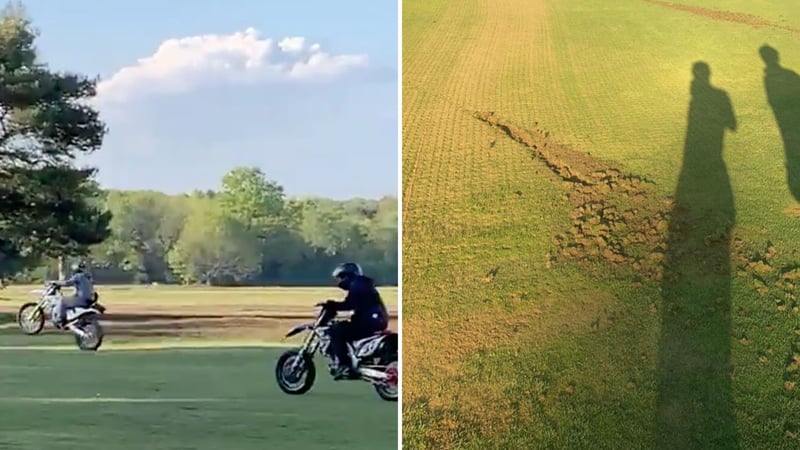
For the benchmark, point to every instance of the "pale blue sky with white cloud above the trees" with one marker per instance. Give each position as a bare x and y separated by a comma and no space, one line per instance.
318,125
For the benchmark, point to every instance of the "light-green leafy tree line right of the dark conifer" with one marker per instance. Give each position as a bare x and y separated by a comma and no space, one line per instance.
247,232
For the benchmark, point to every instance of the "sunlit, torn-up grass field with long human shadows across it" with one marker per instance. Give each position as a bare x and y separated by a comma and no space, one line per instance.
600,240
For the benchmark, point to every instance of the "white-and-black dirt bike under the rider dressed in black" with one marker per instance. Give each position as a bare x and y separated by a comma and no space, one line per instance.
375,356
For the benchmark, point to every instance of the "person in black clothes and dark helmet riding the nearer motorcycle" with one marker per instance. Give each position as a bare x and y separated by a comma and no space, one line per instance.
369,315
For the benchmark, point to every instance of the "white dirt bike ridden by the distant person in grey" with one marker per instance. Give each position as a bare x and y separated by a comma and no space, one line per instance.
84,323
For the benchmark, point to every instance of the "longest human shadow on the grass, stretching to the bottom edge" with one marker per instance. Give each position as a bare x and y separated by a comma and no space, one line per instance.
694,405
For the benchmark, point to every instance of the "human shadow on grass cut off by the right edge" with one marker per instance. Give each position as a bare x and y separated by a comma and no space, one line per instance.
783,95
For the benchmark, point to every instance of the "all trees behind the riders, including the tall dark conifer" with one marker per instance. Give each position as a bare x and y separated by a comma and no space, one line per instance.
246,232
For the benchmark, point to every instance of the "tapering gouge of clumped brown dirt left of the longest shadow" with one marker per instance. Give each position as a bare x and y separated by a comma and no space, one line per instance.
617,217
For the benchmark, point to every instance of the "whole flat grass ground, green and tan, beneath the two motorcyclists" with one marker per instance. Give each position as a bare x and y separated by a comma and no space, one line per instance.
181,368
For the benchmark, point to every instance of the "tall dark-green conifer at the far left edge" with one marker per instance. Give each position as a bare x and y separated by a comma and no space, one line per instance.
47,206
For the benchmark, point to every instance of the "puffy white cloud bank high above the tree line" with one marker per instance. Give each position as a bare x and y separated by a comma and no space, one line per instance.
181,65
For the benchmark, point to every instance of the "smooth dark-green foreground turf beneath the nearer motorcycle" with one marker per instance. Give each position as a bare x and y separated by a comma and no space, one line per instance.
180,399
